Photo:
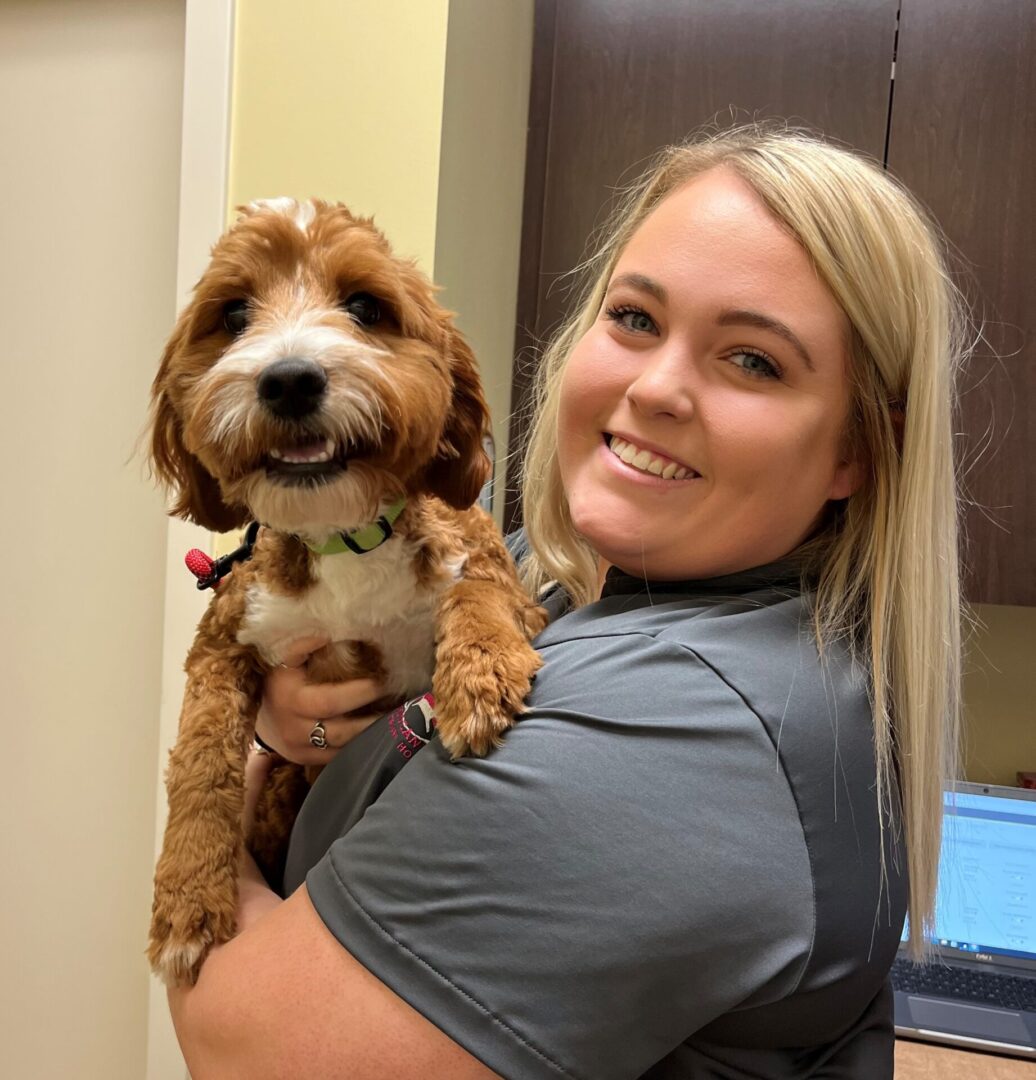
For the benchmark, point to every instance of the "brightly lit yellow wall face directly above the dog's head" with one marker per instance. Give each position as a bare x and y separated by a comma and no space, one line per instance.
343,101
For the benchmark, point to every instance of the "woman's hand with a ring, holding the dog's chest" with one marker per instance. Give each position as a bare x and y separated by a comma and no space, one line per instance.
292,708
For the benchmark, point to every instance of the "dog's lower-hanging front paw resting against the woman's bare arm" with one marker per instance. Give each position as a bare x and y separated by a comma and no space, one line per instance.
183,933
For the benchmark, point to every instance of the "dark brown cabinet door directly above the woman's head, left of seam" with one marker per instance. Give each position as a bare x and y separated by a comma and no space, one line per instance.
615,80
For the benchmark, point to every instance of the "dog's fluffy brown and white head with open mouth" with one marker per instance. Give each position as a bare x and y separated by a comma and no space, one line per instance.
313,380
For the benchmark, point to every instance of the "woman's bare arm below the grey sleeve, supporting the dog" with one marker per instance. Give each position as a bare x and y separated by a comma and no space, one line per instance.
285,1000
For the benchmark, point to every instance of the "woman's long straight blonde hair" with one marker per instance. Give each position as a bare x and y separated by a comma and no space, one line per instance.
885,564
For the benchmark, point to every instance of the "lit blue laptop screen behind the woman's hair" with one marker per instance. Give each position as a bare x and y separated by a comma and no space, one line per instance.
987,897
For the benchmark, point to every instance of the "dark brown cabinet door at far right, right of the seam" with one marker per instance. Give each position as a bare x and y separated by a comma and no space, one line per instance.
963,139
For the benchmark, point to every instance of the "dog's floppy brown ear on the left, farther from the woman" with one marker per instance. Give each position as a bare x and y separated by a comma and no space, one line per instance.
196,494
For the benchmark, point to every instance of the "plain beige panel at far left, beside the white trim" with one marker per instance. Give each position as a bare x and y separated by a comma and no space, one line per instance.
90,129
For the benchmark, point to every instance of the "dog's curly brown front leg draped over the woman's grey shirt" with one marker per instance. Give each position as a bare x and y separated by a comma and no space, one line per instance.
485,663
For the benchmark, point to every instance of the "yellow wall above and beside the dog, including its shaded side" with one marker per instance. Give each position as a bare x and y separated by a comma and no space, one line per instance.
414,112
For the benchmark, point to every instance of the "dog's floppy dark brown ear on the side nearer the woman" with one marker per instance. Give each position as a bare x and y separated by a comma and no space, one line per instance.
462,466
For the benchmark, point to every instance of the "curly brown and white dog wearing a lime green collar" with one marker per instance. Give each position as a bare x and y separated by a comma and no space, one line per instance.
315,386
